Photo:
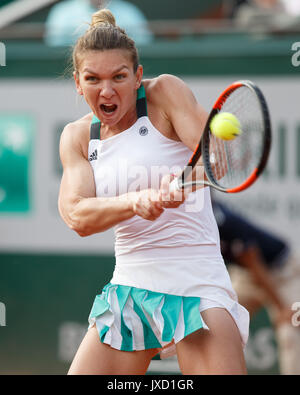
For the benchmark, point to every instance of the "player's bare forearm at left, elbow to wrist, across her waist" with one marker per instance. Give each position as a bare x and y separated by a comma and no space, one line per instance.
93,215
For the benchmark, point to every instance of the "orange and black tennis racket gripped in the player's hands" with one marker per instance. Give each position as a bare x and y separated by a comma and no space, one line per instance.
232,165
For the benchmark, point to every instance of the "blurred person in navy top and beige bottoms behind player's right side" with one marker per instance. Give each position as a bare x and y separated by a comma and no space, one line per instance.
263,273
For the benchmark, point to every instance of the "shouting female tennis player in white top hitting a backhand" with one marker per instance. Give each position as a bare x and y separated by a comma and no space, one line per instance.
170,291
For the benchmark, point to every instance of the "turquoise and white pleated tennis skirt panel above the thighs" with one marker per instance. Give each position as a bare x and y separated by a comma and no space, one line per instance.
131,319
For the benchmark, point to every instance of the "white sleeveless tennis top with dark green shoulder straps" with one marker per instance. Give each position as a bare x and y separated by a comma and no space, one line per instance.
179,252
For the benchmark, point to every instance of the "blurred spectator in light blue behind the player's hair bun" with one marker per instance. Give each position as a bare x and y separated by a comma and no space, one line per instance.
68,20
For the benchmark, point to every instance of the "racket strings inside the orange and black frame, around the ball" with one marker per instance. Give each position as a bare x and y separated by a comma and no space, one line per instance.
233,161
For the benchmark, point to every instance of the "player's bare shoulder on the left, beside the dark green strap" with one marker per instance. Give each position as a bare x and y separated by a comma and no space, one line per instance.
75,137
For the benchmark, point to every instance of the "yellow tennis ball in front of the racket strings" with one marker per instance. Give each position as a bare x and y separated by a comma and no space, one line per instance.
225,126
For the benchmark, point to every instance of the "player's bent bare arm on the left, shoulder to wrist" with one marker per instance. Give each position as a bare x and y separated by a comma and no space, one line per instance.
78,205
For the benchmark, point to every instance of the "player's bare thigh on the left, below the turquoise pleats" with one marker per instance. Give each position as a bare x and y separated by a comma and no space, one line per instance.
95,358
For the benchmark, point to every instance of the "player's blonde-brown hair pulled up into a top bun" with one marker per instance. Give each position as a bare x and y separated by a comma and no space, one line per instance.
102,35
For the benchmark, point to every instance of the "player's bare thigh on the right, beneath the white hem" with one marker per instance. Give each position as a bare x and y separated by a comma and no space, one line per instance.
215,351
